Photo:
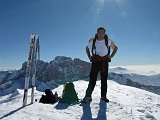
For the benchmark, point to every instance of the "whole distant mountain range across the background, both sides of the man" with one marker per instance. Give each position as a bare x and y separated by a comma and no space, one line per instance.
65,69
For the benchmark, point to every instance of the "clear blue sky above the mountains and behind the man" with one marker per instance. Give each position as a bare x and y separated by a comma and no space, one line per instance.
65,26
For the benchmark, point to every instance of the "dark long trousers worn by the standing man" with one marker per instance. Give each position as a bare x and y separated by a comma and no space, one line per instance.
102,67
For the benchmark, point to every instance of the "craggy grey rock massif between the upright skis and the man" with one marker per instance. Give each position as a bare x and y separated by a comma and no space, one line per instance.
62,69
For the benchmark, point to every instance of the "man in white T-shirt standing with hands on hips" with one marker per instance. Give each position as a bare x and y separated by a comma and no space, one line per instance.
99,46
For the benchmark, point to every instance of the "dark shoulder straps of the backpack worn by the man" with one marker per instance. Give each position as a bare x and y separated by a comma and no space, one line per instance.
106,42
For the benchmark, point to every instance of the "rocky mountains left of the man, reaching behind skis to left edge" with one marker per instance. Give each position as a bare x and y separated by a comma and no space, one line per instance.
58,71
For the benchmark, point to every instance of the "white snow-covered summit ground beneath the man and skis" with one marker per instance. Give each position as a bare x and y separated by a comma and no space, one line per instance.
126,103
